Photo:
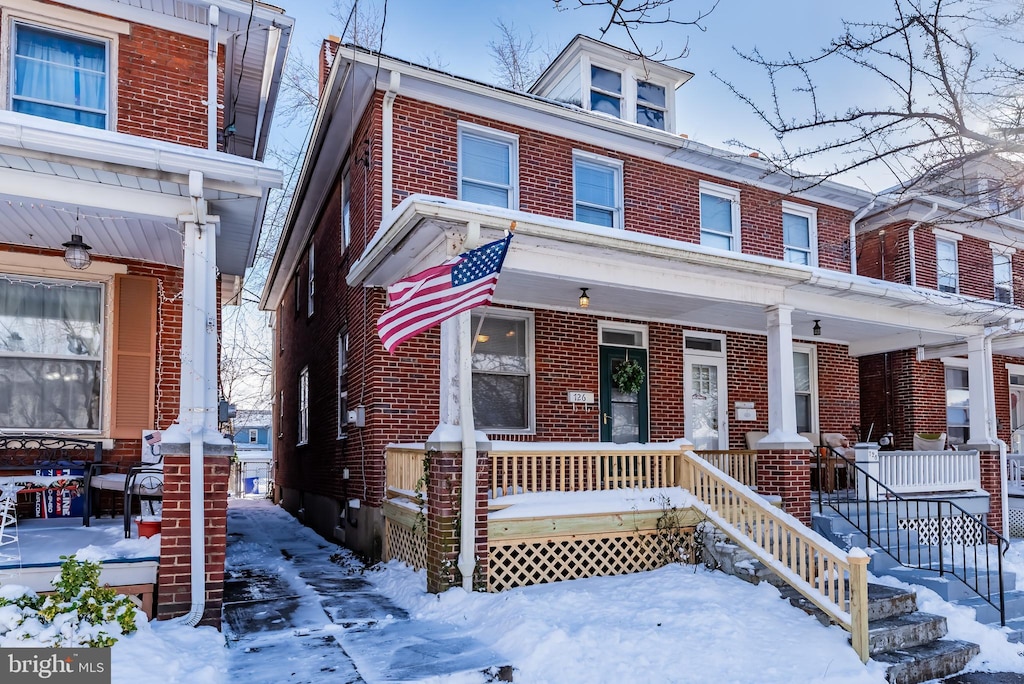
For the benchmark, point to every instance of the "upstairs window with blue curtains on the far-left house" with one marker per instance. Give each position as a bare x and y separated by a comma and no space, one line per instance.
60,75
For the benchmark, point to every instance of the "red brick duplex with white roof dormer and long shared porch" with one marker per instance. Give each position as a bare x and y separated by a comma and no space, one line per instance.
745,302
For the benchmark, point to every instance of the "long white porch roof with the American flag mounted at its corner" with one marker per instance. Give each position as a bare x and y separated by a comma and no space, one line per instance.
638,277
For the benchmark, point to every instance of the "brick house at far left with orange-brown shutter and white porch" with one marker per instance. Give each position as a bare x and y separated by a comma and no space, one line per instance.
121,133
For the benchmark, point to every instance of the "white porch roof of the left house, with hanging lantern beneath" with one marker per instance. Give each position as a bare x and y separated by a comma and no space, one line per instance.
122,193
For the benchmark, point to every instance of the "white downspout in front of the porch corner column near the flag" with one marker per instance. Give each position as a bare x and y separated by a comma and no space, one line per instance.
467,542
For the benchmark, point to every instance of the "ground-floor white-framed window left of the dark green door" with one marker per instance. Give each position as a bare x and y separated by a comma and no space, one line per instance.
503,370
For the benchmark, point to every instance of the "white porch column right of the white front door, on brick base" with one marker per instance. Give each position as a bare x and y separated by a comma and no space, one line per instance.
782,384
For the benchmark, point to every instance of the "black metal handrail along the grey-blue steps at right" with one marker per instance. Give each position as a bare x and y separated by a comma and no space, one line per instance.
919,533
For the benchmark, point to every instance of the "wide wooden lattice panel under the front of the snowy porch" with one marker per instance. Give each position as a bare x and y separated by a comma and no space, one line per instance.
523,563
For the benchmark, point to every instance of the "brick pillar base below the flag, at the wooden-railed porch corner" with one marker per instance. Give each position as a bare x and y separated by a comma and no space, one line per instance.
444,516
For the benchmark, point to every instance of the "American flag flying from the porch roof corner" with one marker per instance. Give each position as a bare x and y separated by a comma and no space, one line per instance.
423,301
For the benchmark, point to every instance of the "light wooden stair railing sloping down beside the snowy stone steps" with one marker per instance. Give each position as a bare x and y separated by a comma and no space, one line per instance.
834,580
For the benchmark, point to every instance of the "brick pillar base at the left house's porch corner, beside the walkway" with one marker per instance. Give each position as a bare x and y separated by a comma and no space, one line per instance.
175,578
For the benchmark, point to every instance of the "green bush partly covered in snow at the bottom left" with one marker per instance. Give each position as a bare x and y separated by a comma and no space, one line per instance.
79,613
